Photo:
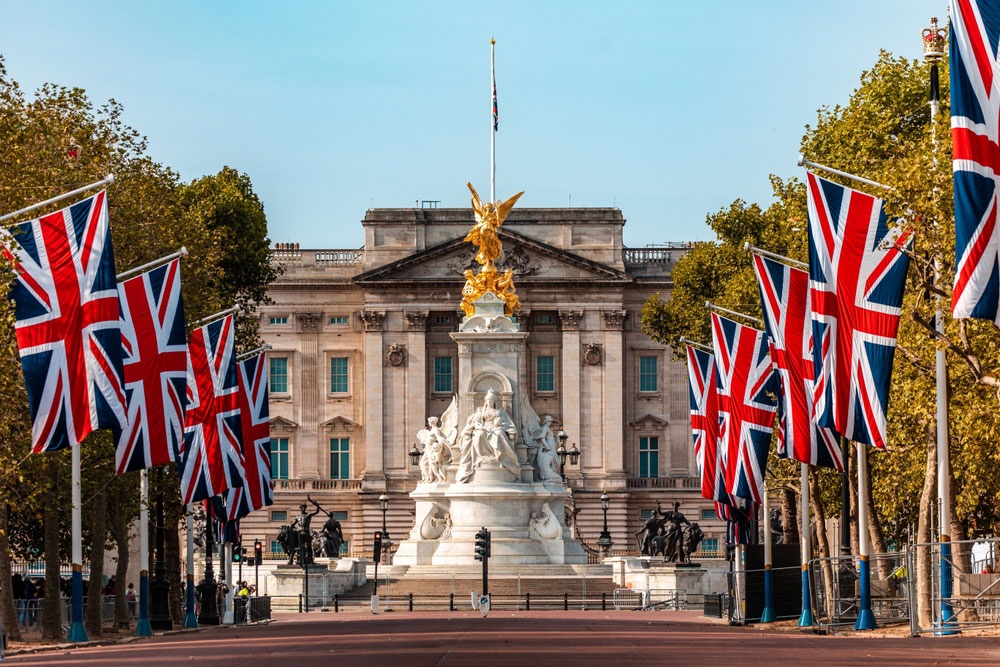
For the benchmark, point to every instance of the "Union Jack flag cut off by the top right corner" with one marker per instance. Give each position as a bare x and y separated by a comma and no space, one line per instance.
975,133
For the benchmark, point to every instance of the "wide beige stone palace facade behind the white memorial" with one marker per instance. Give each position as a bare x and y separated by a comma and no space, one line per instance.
362,356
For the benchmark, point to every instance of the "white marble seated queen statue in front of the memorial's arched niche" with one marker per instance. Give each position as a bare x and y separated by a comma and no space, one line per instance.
488,436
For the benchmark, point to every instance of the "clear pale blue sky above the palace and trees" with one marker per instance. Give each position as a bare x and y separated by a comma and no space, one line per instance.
668,110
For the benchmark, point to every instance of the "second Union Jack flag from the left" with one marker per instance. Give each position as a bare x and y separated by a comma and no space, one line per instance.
155,356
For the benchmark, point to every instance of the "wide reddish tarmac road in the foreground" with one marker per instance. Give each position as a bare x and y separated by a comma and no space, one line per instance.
520,639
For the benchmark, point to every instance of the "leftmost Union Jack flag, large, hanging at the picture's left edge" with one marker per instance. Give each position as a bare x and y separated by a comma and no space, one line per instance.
68,331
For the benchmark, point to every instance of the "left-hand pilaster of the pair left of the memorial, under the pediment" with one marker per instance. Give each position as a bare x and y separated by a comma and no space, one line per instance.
373,475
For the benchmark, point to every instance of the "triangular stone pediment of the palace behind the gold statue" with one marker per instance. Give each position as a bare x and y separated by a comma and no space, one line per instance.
530,259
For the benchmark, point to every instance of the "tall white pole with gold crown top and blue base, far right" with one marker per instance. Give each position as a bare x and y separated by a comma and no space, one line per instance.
933,40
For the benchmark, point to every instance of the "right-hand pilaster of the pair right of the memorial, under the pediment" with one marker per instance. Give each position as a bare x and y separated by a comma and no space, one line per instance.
614,394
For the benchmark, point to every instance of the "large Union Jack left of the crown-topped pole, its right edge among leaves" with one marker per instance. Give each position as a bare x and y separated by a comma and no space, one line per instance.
857,273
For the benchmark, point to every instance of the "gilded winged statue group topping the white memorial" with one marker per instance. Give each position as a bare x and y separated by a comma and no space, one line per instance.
483,235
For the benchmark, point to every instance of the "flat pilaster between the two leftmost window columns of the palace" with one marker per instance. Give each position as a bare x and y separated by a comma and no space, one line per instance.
304,466
